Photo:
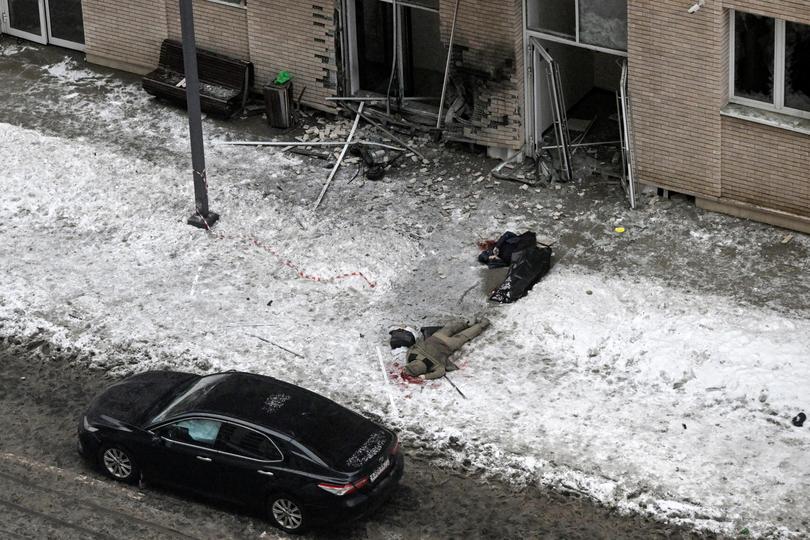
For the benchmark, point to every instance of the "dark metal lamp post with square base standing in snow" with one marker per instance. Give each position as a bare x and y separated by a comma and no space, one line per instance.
203,217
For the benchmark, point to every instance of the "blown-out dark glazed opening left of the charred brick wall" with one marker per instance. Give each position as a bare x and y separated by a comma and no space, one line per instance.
394,49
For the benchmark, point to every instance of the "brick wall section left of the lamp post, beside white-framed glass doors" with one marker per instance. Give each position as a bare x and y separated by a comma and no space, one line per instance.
124,34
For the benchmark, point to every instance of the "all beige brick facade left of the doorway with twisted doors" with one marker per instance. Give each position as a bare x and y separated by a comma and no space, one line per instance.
301,37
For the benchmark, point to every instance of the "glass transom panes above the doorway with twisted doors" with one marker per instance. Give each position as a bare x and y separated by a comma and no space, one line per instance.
599,24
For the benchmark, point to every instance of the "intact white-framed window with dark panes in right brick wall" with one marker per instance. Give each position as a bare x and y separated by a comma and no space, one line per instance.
771,63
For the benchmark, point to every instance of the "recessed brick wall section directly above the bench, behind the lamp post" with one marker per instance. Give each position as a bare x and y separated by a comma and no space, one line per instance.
218,27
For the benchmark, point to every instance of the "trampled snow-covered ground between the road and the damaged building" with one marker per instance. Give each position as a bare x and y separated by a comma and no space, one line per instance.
624,387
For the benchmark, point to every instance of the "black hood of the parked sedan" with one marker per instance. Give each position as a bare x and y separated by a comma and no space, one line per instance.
130,400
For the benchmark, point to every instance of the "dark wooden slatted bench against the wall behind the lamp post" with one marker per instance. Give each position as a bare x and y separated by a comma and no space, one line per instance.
225,82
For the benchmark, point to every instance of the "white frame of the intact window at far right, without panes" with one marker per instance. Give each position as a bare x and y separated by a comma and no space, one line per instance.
777,104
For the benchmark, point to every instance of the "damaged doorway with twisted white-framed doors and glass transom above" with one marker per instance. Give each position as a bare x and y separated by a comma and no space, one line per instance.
577,101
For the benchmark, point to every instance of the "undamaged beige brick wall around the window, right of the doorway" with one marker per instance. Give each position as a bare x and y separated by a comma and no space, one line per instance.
679,79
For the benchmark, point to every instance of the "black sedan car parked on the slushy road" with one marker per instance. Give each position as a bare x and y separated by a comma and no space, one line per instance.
295,455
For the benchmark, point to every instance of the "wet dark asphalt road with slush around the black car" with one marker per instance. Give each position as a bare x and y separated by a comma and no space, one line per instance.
47,491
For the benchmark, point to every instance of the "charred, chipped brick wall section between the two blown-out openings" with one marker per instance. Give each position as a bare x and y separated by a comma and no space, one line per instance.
489,40
